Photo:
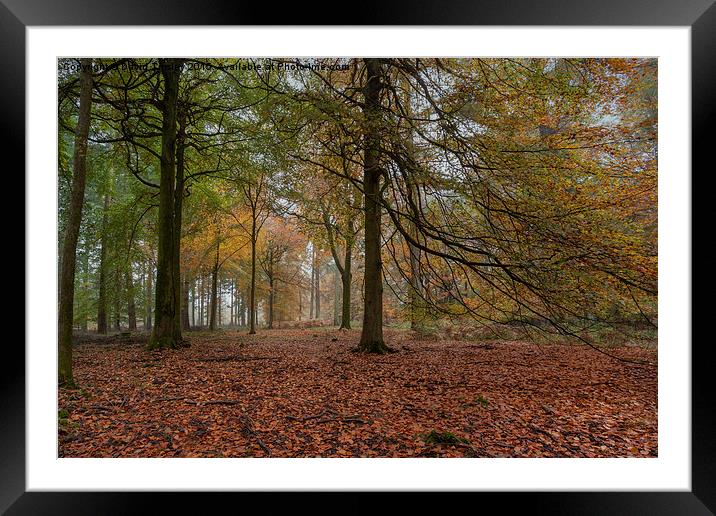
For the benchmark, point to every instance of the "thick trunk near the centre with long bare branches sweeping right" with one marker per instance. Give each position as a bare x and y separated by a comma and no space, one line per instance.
372,333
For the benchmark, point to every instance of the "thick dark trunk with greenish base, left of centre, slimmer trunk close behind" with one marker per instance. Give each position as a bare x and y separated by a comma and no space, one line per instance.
166,305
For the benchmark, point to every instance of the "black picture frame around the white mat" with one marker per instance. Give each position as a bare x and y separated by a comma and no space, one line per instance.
700,15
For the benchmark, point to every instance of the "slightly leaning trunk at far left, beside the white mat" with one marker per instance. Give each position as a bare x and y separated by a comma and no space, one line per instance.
69,247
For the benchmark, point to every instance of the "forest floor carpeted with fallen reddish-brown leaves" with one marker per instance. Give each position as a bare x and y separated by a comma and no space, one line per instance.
305,393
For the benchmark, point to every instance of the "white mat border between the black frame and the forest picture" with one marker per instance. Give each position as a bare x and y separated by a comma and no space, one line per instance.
671,470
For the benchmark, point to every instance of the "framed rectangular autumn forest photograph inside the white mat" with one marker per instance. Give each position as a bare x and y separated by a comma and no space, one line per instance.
357,257
